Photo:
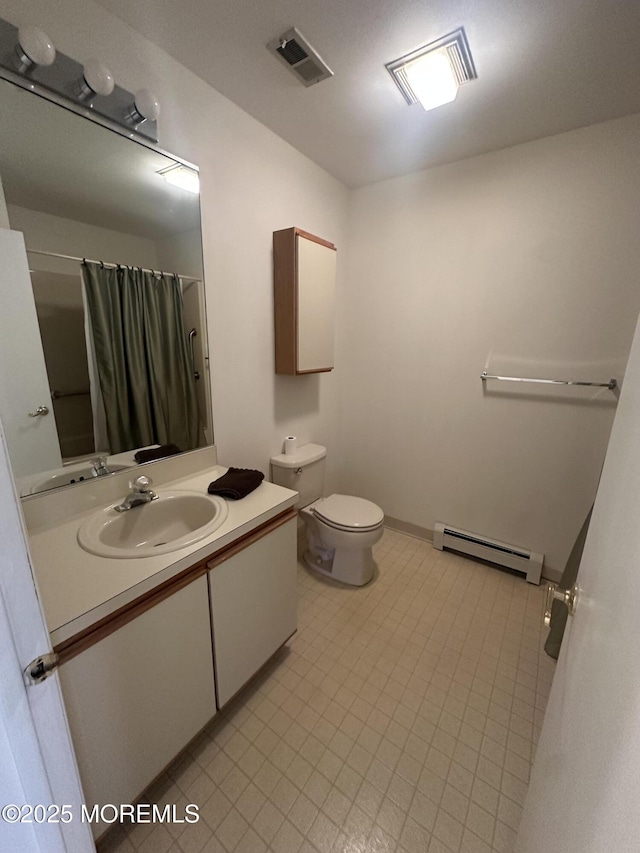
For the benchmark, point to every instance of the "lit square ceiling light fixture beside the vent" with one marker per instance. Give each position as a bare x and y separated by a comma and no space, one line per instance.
432,74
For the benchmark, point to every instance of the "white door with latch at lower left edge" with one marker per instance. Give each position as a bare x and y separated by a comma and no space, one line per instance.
38,764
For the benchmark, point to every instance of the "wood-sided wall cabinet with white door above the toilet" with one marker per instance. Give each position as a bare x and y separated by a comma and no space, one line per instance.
304,269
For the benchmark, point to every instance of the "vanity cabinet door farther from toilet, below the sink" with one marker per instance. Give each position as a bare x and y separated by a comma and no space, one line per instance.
138,696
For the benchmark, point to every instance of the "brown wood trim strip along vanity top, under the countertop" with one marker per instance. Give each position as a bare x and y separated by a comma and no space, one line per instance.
83,640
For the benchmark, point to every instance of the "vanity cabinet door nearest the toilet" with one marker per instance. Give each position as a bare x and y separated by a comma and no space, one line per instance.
253,607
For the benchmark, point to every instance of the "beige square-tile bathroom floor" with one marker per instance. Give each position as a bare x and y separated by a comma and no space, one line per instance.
401,718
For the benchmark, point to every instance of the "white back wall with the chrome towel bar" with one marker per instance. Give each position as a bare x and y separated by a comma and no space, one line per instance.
522,262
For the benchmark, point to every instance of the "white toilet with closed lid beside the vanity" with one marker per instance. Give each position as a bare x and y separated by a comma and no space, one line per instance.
341,529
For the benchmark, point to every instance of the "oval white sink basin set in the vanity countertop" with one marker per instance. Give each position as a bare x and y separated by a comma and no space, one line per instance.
171,522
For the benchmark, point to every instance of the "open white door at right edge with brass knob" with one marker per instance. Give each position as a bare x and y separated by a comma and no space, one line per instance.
584,795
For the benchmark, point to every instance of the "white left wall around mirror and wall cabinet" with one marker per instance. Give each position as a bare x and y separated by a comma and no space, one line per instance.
252,183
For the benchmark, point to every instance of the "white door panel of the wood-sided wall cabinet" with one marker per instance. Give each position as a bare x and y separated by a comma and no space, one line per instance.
316,295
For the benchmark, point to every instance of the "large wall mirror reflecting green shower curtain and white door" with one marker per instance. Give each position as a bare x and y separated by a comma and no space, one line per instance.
104,326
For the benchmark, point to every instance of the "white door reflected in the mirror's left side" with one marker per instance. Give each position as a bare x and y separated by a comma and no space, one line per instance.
33,441
